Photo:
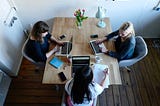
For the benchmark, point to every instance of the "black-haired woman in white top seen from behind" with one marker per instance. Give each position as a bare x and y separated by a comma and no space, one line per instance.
82,89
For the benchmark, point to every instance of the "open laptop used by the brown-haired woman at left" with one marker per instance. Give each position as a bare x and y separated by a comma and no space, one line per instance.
65,49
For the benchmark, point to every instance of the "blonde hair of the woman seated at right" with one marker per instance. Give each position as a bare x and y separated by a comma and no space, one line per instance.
128,26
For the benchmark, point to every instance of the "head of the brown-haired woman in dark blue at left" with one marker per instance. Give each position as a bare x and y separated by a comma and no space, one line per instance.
39,29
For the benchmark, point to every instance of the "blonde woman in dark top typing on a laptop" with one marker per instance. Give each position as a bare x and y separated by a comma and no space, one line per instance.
125,42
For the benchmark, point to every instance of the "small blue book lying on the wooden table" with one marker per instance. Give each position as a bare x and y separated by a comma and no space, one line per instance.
56,62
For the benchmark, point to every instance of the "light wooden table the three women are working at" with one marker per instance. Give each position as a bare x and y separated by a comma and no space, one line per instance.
81,38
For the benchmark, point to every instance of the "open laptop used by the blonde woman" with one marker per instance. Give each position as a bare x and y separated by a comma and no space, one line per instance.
97,48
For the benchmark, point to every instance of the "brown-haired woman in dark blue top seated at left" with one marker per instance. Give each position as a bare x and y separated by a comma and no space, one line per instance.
37,46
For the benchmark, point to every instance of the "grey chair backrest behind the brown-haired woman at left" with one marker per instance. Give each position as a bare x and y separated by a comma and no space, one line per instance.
40,64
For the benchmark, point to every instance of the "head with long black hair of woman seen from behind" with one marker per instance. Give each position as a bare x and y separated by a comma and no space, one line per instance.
82,79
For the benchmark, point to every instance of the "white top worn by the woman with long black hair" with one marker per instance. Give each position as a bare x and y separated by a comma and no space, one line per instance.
95,89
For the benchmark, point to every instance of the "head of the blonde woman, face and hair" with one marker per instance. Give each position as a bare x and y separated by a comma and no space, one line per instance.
126,30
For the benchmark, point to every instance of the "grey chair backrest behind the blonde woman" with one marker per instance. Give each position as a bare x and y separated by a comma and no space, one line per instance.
139,53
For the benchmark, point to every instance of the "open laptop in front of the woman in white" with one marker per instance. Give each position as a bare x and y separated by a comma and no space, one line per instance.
79,62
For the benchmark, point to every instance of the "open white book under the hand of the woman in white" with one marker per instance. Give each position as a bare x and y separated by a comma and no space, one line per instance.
99,75
